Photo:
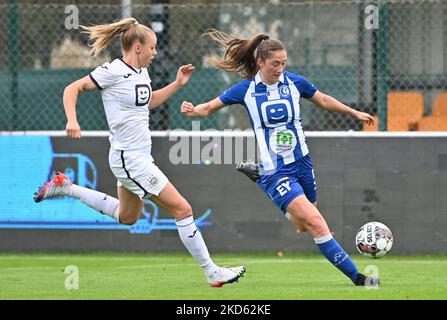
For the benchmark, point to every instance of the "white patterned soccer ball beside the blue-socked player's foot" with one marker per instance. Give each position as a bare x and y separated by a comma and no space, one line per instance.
374,240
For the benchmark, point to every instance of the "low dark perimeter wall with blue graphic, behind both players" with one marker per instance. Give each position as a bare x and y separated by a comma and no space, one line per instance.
398,179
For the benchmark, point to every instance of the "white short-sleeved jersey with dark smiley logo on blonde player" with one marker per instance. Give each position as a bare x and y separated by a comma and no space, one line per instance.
126,93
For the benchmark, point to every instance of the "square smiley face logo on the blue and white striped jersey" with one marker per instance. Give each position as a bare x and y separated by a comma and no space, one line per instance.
276,112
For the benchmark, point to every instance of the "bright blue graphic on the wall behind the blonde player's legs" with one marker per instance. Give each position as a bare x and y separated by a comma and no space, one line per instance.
26,162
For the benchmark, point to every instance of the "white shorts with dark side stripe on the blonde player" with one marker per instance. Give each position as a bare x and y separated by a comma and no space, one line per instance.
135,170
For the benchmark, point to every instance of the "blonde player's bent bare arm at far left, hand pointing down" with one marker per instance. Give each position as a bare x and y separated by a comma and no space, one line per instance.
71,93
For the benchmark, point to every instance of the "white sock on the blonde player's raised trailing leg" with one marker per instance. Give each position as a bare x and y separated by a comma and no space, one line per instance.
99,201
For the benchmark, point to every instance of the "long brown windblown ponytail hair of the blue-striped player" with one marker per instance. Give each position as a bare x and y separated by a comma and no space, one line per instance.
240,54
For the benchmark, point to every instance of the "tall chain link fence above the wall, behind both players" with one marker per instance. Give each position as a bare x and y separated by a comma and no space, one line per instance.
388,58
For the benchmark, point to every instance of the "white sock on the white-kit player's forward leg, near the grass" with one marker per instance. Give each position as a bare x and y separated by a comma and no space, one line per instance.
193,241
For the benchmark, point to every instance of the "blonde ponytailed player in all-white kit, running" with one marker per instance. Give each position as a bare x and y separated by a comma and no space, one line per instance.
127,96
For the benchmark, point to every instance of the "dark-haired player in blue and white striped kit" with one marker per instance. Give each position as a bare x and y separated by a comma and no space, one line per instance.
271,97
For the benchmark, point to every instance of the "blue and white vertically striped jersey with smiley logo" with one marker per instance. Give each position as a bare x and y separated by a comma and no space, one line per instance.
274,112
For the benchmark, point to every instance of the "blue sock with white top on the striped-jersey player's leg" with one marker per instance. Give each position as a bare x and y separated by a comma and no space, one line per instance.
337,256
